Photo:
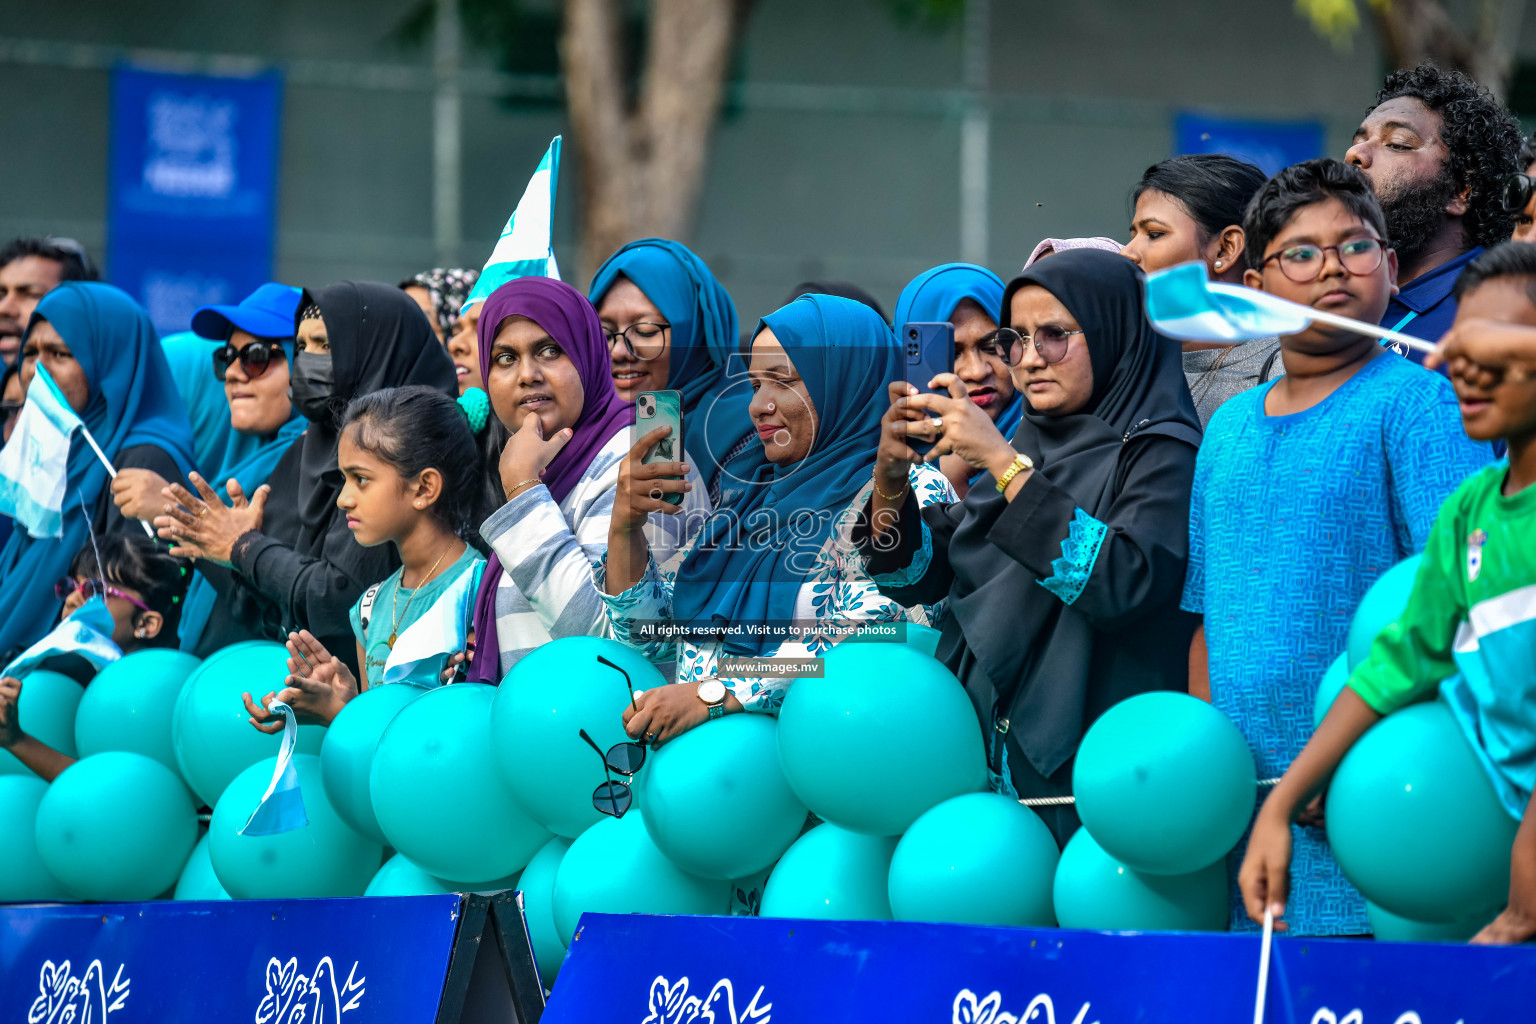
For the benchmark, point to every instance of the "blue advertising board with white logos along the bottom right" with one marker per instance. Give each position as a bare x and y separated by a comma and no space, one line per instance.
743,971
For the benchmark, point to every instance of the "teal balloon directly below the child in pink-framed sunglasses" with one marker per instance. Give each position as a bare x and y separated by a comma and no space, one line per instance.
130,704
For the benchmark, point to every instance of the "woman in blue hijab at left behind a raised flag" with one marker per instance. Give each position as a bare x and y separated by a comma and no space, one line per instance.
102,351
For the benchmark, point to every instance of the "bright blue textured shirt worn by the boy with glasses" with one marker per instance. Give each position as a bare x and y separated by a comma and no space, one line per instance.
1291,521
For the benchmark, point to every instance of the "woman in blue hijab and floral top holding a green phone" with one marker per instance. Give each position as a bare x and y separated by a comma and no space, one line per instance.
819,371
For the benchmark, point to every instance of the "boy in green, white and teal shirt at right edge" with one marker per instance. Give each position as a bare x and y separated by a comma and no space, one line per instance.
1472,615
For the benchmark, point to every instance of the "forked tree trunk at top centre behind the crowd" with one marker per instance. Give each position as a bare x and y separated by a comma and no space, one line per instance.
643,164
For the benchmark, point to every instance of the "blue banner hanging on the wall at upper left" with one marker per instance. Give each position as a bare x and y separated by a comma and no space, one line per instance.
193,190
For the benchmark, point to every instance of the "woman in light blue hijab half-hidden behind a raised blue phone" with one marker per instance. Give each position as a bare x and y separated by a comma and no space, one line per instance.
972,299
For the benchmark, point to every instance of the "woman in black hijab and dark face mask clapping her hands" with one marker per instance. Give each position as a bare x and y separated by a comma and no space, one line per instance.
288,561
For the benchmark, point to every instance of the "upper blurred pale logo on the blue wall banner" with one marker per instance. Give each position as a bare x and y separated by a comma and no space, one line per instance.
191,148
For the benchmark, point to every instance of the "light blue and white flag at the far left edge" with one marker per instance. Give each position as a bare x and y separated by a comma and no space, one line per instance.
35,464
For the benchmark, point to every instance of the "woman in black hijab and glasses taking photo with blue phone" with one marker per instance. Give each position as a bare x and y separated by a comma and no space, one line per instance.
1064,584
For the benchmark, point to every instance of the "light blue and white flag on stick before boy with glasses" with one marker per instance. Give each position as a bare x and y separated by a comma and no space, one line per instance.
1183,303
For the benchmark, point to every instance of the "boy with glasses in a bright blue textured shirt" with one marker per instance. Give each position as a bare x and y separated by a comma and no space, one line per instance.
1311,487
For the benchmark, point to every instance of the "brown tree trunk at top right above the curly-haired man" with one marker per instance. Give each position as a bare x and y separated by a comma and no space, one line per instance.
1414,31
